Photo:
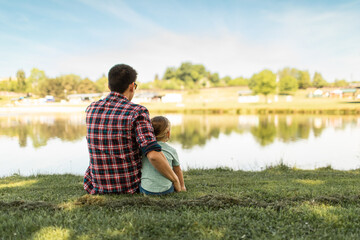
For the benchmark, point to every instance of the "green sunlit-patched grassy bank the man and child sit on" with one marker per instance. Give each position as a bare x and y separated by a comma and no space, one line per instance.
277,203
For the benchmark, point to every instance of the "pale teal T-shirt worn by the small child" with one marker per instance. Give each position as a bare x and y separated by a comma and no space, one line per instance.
151,179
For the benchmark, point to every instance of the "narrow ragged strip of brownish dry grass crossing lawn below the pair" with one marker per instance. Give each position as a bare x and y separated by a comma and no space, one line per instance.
207,201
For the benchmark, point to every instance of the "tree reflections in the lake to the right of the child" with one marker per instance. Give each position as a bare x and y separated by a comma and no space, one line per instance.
197,130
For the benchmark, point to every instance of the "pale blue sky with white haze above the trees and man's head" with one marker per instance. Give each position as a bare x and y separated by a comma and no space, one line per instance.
233,38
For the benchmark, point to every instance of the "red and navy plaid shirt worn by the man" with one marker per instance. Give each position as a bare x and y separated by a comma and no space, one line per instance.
116,131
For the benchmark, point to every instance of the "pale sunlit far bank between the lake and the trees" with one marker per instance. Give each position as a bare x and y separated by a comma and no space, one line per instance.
211,101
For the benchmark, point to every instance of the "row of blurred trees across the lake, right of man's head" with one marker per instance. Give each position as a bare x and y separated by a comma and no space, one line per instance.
285,81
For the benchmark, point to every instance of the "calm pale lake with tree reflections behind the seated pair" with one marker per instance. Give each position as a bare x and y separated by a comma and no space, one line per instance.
55,143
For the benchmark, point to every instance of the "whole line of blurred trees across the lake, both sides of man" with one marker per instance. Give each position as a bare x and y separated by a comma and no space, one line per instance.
186,76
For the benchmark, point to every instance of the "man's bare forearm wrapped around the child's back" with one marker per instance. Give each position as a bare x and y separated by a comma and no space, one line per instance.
159,161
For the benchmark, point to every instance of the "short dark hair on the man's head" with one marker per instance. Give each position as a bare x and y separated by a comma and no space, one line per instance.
120,76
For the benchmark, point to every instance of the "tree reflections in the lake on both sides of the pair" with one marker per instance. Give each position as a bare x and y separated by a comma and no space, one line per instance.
187,130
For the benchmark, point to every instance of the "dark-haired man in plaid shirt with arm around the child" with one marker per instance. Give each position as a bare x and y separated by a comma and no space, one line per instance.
118,132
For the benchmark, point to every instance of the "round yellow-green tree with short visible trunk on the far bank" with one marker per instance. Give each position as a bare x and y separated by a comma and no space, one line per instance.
263,83
